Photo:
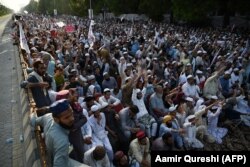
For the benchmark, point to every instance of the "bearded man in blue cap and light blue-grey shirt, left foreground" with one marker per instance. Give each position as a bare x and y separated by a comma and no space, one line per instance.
56,128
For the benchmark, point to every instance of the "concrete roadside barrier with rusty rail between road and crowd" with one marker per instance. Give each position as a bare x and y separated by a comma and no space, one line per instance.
34,146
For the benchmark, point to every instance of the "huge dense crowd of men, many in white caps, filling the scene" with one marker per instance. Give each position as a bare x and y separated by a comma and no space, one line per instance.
109,92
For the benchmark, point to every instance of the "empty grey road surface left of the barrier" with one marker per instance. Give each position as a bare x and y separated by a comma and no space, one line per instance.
11,149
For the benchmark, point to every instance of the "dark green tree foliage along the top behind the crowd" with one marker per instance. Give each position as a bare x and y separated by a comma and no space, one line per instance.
193,11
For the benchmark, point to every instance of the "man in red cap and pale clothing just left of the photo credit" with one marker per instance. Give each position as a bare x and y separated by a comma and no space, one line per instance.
139,150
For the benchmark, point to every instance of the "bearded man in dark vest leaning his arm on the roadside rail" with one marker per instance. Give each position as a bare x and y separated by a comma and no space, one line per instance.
38,86
